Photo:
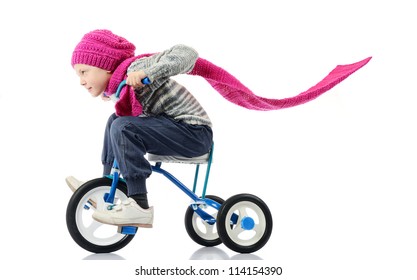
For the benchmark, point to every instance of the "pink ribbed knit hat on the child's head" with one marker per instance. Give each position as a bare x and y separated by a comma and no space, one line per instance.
103,49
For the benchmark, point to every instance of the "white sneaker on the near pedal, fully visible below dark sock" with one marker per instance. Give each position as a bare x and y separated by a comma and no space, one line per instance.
128,213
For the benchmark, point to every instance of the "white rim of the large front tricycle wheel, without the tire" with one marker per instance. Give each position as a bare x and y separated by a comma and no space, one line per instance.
93,231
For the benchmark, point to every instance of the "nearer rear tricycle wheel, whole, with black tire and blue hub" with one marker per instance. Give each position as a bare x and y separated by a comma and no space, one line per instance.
256,214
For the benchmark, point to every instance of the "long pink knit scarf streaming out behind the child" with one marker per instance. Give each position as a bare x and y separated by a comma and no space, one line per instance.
230,87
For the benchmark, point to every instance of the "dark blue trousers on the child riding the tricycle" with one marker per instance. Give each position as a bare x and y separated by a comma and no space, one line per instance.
128,139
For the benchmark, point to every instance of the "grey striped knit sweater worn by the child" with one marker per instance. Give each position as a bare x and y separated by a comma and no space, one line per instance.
164,95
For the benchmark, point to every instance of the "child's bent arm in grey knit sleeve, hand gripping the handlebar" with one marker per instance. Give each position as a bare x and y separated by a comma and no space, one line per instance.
179,59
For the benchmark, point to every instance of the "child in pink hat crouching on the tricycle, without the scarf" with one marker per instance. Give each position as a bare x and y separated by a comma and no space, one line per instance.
172,122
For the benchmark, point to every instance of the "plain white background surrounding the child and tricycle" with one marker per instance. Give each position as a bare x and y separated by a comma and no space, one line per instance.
338,173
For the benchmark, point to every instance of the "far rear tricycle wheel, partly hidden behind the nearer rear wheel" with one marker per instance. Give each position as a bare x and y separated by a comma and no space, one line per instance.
208,239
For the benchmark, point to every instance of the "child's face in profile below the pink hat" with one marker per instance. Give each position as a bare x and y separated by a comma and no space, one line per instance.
94,79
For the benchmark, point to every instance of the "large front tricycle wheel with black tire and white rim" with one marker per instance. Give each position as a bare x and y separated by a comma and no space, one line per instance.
79,210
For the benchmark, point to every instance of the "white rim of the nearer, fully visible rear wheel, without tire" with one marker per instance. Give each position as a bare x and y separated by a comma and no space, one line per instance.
239,235
